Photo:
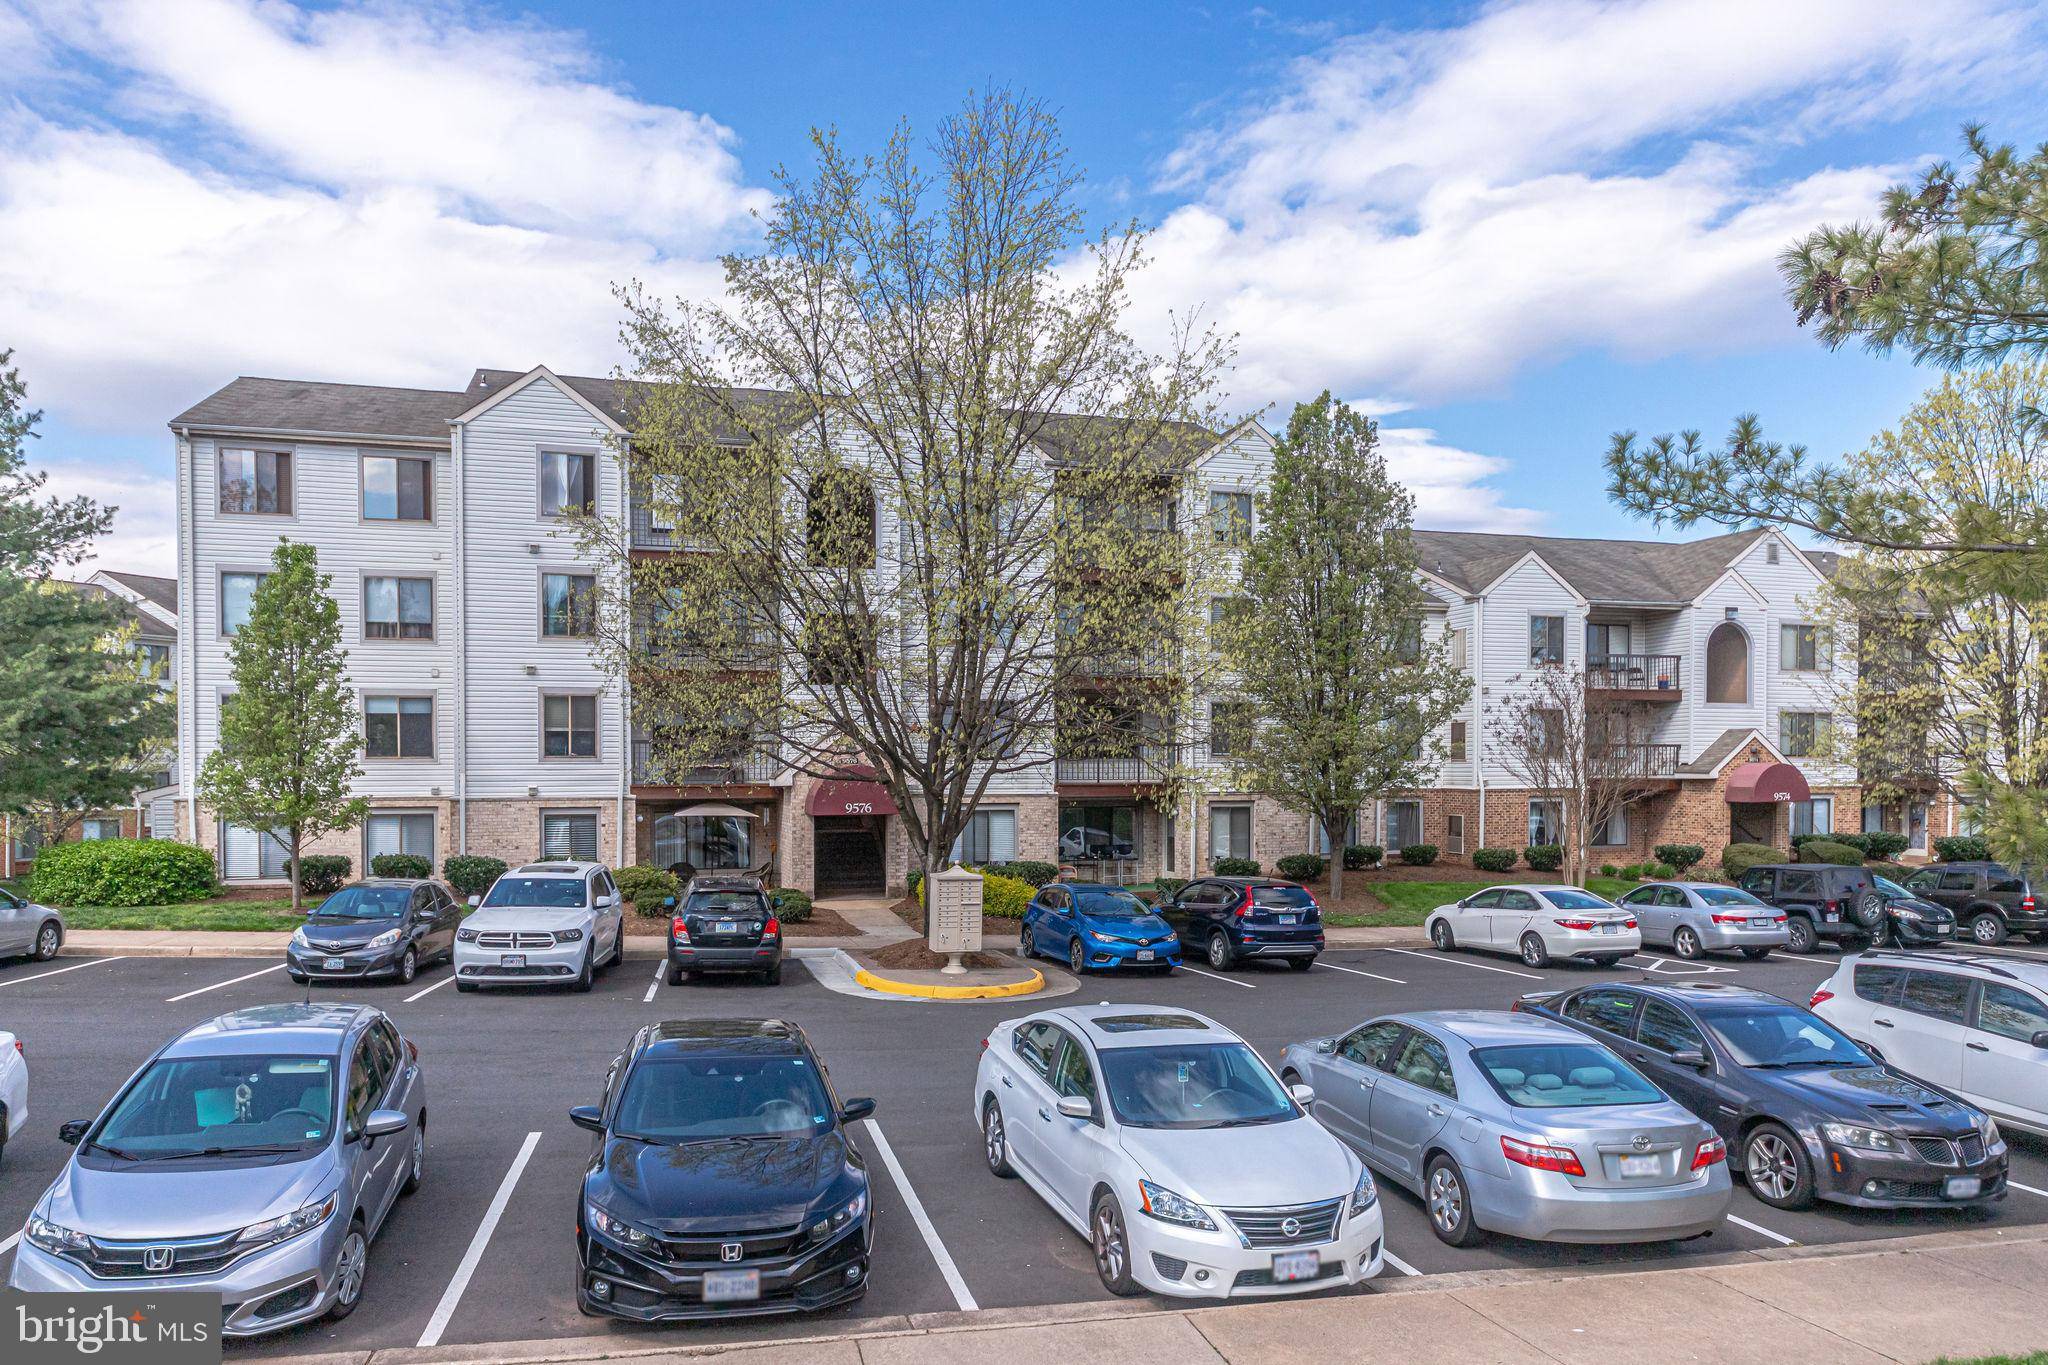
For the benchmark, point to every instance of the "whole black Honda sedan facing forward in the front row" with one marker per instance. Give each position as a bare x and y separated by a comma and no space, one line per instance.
722,1182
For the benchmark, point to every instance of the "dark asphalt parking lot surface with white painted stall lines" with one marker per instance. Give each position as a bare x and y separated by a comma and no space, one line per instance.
486,1249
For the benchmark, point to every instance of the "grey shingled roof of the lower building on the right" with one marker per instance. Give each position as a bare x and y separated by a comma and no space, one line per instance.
1603,572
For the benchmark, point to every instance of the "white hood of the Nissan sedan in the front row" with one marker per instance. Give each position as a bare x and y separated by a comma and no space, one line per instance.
1246,1168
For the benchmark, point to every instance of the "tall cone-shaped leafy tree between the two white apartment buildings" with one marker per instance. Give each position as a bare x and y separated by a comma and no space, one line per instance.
1326,642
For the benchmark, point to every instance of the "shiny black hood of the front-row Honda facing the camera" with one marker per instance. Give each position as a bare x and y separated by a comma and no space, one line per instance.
738,1186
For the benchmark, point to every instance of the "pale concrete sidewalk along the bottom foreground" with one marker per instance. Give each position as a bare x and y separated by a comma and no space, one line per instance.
1904,1301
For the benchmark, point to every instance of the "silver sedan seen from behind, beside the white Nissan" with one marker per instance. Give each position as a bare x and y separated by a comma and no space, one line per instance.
1514,1125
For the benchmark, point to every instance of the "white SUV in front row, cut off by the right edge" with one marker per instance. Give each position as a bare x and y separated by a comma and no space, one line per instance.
1971,1026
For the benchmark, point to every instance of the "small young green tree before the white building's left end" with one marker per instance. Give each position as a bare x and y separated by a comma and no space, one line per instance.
290,732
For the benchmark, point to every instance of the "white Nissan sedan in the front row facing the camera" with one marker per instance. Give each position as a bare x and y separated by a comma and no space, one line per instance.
1177,1151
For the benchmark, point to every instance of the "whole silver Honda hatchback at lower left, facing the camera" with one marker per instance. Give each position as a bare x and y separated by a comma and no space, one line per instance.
255,1155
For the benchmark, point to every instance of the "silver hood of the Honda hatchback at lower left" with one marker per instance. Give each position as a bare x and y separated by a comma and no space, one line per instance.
181,1202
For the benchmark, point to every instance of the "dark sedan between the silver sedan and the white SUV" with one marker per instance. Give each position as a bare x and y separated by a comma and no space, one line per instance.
1805,1112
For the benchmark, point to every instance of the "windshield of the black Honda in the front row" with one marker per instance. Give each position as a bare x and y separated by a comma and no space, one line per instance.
730,1096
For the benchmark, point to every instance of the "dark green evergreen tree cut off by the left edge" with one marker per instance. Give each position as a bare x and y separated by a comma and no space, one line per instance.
77,715
